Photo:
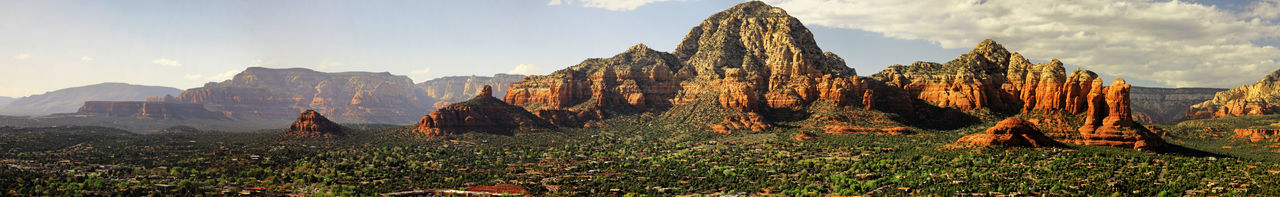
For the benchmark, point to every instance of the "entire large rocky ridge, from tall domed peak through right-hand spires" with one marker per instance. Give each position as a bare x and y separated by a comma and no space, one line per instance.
752,66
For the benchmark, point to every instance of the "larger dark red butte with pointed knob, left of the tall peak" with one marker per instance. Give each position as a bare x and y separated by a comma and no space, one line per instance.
483,113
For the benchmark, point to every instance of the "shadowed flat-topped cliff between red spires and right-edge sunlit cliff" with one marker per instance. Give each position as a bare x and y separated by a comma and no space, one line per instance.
1154,106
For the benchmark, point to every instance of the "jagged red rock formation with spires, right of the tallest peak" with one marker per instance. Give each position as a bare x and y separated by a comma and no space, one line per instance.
990,79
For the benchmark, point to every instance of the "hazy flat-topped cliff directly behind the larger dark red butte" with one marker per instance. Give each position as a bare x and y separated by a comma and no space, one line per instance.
449,90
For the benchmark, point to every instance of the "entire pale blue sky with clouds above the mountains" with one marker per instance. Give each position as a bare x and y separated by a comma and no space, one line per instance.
48,45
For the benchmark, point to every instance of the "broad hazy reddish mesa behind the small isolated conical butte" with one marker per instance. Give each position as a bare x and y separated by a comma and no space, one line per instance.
277,94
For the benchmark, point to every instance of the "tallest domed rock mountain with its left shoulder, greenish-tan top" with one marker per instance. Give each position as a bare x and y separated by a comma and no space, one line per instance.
767,61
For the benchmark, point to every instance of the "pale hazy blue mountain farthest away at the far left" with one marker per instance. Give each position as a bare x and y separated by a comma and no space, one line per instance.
68,100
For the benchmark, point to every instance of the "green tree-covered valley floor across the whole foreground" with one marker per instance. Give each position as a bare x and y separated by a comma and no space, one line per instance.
633,157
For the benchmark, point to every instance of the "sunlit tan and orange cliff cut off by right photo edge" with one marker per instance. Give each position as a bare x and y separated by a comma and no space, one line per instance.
1258,99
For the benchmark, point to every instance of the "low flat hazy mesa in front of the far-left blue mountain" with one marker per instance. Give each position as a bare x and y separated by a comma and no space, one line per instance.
149,111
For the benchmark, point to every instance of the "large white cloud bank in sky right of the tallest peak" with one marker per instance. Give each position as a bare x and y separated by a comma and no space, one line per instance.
1174,43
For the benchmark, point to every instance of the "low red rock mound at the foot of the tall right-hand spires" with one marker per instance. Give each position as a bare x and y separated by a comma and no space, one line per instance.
1009,132
